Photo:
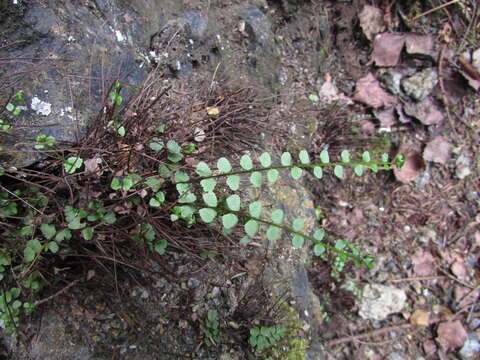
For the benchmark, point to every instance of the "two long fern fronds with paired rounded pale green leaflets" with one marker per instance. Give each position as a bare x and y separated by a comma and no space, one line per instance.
225,207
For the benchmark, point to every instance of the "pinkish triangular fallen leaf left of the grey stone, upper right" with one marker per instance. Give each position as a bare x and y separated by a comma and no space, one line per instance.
369,92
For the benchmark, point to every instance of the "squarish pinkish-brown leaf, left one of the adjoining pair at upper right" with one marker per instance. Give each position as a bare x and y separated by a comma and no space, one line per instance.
387,48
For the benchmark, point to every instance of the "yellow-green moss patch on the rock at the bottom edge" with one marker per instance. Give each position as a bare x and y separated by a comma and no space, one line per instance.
295,343
